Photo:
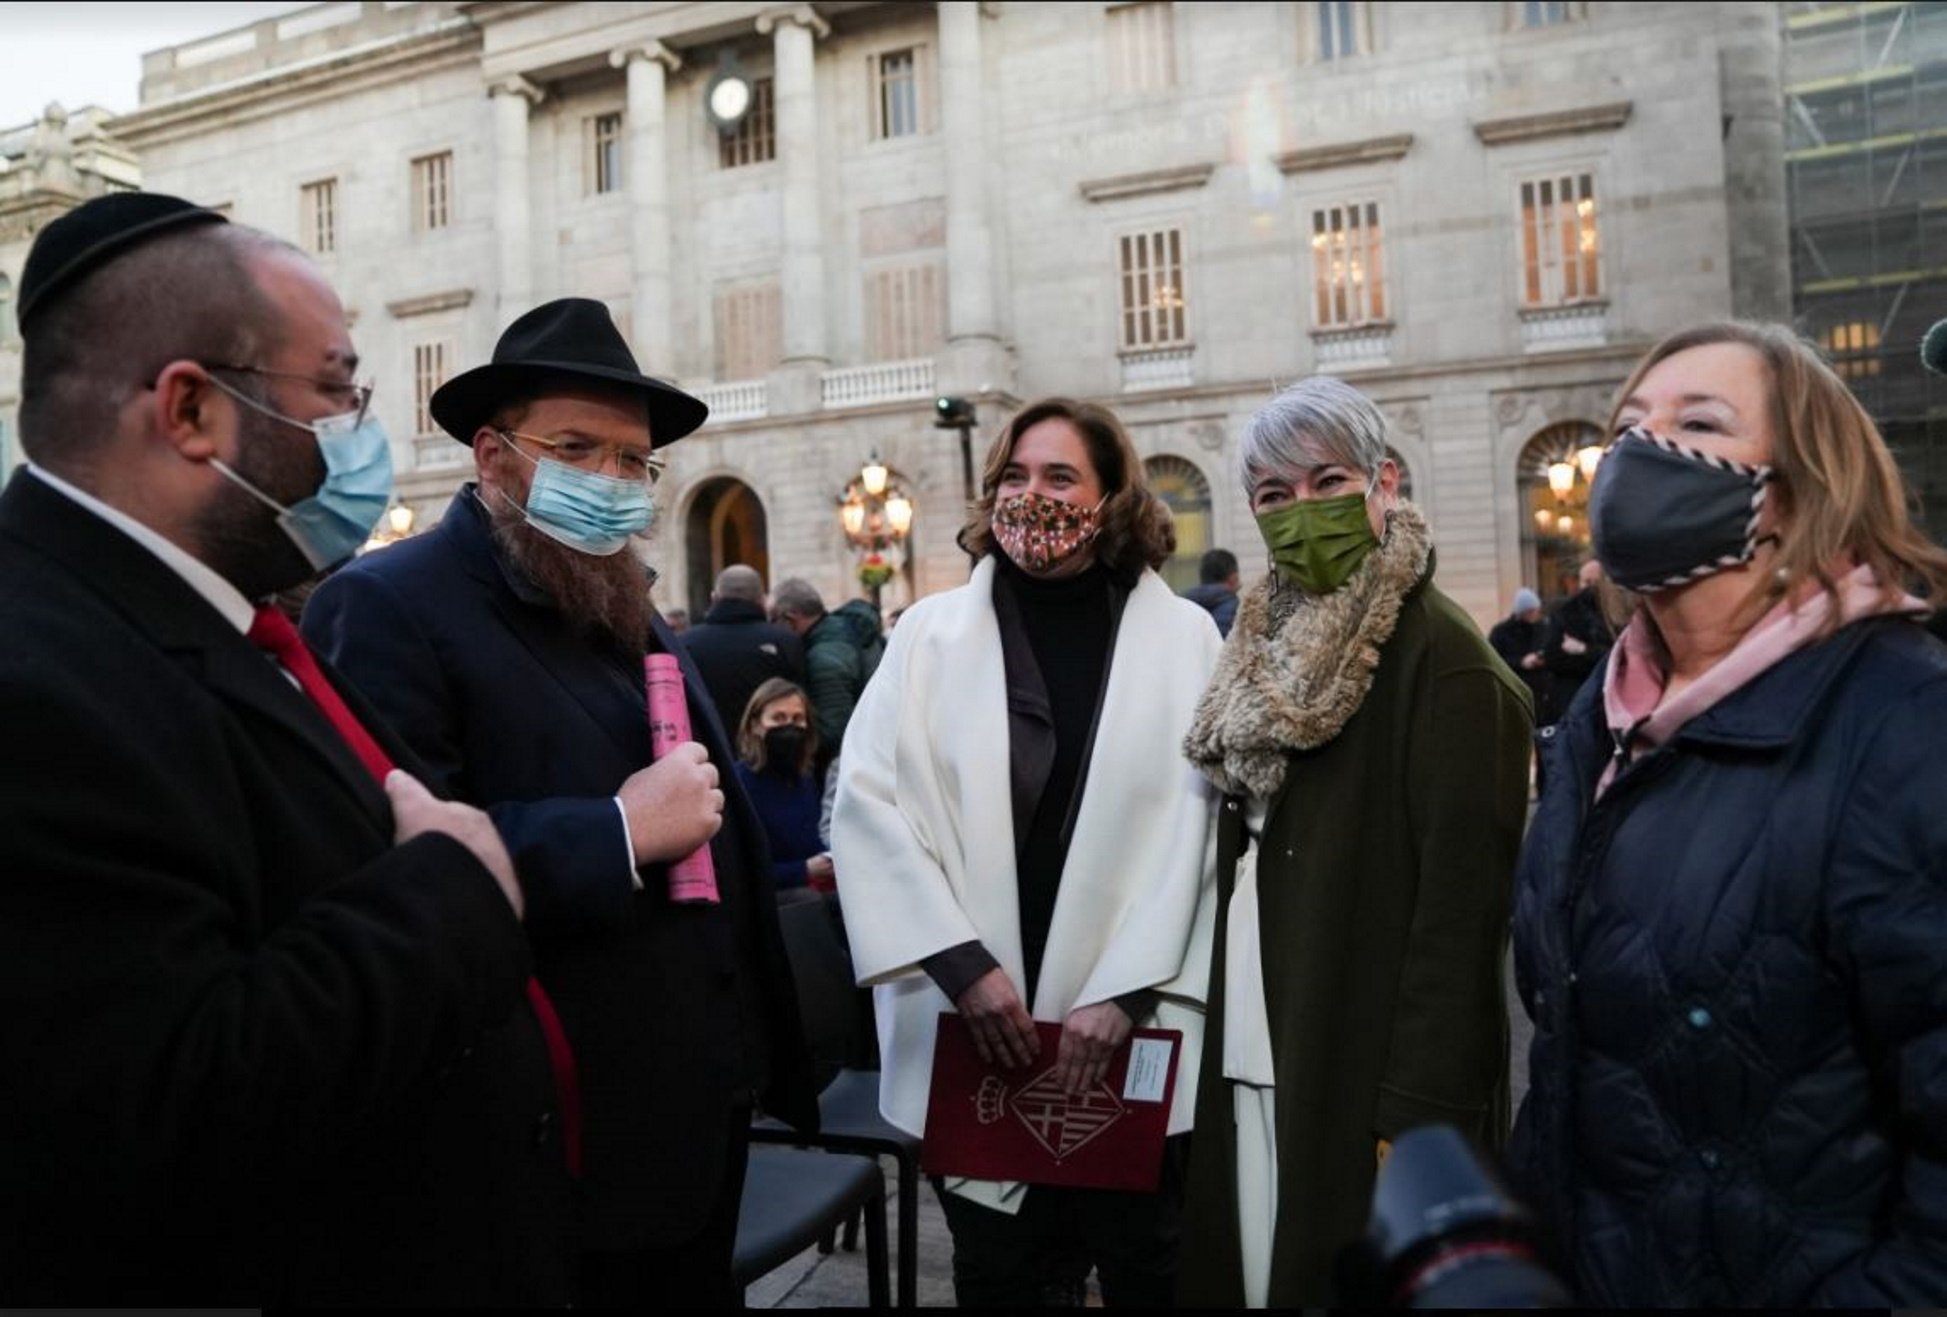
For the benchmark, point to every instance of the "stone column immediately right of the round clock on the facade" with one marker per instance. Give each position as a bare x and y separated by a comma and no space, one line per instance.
803,285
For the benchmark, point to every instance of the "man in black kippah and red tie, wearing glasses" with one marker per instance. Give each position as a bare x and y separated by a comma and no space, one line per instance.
268,1030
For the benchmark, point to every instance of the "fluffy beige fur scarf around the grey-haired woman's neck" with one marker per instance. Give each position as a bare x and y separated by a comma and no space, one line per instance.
1298,667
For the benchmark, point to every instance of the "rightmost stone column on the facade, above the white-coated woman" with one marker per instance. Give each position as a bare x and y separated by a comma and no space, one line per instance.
974,361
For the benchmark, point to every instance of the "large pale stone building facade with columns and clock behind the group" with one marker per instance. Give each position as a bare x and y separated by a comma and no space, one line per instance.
1481,213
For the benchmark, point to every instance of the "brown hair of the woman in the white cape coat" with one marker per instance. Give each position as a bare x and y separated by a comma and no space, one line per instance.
1136,527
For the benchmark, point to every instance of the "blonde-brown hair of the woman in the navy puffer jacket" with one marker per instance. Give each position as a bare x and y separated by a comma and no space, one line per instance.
1833,474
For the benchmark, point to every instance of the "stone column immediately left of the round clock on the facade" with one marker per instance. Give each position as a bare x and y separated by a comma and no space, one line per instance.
649,204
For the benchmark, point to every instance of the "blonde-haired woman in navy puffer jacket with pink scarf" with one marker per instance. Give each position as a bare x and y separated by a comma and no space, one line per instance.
1732,909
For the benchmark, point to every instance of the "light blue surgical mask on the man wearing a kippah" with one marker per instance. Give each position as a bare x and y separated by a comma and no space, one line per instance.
330,527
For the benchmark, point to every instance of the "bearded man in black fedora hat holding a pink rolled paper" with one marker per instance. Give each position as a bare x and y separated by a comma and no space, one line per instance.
507,648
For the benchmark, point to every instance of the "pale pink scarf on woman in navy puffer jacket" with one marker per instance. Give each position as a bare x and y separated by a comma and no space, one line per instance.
1633,689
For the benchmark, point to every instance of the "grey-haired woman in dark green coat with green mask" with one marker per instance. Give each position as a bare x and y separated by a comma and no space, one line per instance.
1376,761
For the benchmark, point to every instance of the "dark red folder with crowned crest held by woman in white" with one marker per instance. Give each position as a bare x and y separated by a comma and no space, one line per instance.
1019,1125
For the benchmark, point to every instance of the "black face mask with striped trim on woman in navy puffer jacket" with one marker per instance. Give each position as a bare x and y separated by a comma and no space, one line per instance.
1666,515
